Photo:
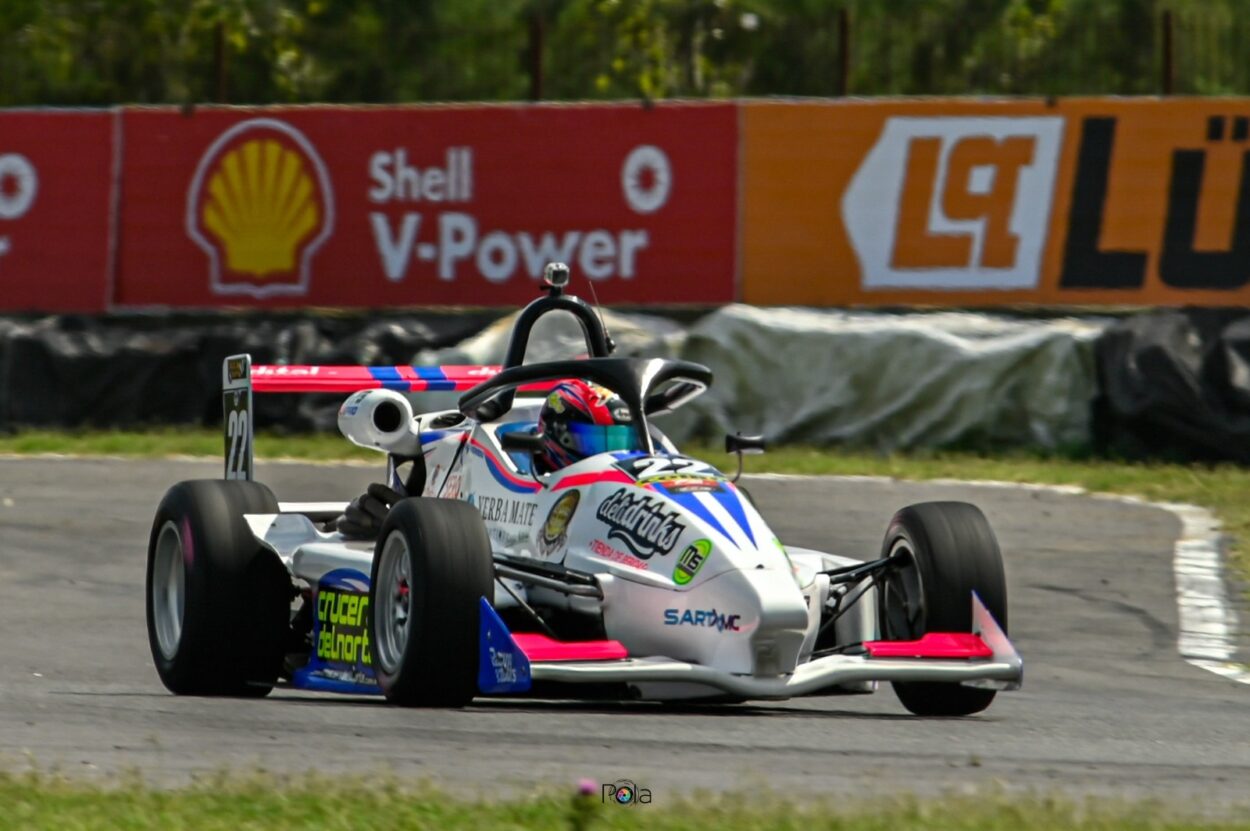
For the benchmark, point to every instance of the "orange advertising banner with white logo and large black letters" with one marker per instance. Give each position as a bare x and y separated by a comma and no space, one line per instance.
979,203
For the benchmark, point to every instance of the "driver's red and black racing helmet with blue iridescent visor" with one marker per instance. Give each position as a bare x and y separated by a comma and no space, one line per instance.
579,420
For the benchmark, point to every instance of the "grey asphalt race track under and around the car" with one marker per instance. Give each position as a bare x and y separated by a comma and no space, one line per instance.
1108,705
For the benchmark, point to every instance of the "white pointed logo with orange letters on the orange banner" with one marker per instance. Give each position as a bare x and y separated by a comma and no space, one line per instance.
973,203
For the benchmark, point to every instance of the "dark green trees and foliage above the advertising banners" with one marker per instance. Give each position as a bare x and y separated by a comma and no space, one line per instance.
167,52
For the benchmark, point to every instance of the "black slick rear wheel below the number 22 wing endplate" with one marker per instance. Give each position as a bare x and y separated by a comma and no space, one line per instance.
218,602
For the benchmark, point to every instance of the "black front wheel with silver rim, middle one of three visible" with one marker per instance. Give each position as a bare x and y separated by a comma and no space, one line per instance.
432,567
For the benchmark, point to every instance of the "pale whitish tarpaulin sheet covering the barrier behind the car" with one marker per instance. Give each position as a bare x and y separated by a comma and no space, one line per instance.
879,381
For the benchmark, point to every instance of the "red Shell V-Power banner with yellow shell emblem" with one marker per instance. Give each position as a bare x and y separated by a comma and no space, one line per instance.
427,206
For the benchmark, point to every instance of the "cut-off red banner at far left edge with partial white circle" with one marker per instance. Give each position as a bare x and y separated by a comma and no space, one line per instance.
57,181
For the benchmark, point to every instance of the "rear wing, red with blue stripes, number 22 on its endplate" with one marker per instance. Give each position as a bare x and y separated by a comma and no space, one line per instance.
241,379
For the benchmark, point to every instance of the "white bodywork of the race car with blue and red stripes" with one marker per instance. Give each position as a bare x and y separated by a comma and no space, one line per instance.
744,624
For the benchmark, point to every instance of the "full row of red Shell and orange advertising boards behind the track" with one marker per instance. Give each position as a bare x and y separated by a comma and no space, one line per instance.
846,203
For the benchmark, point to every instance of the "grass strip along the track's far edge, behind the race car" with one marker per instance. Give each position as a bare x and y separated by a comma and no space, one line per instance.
1221,488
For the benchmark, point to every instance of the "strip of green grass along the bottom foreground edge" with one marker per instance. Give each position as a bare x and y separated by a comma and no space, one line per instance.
262,803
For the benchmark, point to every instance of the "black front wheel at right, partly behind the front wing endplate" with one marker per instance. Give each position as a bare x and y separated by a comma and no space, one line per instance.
944,553
